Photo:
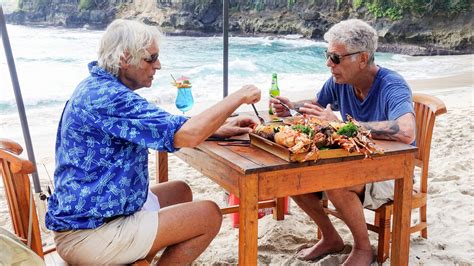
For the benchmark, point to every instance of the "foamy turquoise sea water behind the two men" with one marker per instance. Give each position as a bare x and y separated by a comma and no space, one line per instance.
50,62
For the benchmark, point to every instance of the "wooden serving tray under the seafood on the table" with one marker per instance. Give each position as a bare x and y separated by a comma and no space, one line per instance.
283,152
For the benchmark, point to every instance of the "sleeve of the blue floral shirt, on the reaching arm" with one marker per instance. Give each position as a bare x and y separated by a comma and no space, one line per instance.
130,117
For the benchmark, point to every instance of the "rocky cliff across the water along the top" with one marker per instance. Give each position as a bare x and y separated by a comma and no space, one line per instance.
436,32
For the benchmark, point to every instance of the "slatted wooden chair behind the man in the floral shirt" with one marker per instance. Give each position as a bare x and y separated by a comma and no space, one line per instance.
14,171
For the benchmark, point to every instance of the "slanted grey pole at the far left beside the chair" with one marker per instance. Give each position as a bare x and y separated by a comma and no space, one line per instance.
19,100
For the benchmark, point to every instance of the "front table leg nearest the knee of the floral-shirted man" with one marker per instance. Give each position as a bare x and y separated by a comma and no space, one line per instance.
248,221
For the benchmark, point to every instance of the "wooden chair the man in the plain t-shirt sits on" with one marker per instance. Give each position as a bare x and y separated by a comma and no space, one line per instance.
427,107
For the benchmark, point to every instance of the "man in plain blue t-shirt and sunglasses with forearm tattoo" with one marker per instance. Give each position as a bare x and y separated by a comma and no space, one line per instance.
377,97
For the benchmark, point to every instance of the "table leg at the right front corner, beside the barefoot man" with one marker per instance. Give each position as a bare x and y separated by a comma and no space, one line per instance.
402,214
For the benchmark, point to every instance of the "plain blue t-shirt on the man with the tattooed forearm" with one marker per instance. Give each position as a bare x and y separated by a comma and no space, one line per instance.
388,98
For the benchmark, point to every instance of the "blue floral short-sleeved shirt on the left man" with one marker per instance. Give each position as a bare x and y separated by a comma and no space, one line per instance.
102,152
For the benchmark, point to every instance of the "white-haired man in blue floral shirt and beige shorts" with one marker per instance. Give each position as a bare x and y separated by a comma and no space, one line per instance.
101,176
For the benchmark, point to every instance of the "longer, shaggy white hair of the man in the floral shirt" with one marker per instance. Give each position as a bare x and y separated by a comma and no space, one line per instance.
126,38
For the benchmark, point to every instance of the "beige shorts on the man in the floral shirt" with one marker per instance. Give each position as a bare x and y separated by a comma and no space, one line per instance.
121,241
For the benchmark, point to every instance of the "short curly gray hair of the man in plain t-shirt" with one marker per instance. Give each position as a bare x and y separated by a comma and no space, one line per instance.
355,34
